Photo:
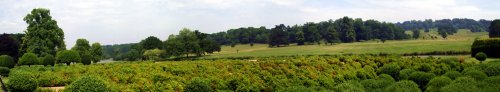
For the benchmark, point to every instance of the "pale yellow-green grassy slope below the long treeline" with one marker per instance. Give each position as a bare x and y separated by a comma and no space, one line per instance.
458,42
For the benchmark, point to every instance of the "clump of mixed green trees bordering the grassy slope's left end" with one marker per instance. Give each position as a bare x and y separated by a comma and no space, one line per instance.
152,48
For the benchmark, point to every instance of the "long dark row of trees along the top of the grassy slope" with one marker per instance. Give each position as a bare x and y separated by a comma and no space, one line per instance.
332,31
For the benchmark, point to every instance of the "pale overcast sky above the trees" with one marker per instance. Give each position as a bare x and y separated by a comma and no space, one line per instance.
129,21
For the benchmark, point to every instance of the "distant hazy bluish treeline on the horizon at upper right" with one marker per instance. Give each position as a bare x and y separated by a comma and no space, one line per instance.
459,23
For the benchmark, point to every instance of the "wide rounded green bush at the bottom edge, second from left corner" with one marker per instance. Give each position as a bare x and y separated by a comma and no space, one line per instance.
88,84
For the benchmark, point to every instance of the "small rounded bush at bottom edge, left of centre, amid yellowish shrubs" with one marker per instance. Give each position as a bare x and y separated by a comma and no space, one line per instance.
198,85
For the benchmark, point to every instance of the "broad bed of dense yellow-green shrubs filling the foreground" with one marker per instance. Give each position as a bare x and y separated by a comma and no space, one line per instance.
308,73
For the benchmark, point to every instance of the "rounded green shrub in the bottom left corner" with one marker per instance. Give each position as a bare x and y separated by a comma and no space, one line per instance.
22,82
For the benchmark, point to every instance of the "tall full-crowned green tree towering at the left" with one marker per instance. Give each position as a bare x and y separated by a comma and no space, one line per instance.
43,36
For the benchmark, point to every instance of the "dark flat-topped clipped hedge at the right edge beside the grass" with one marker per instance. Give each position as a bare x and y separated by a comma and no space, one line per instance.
490,47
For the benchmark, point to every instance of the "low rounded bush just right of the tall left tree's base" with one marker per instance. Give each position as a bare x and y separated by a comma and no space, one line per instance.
67,56
